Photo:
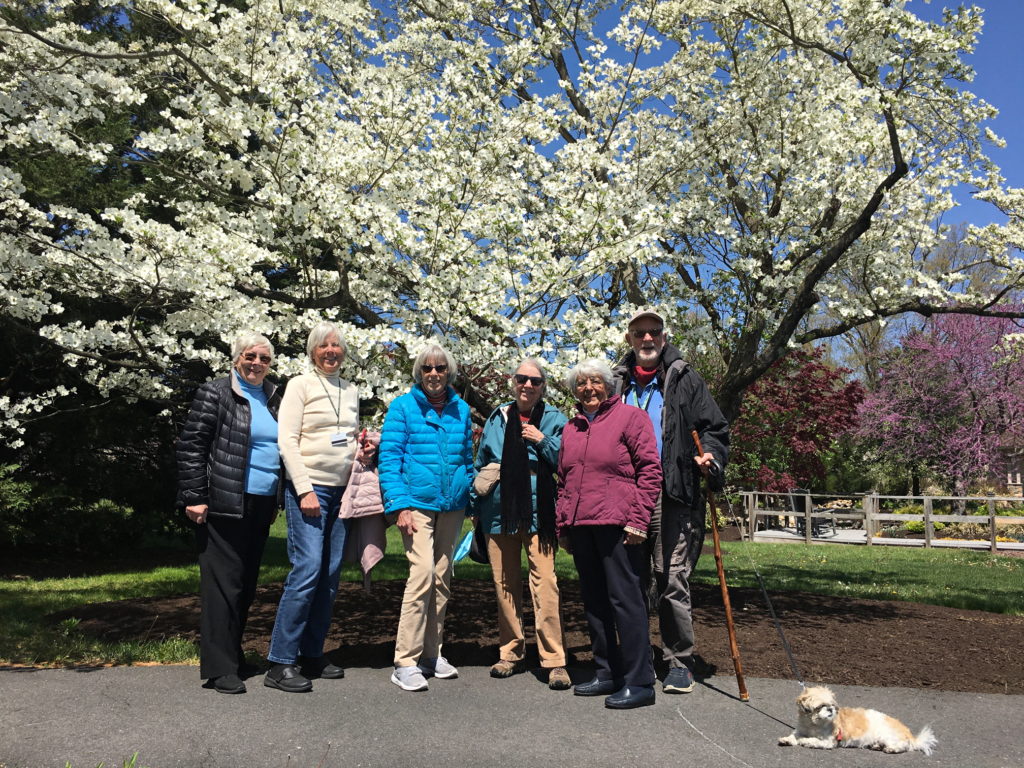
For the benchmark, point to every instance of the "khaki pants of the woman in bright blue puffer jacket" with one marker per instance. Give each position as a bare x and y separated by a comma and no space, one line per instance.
430,586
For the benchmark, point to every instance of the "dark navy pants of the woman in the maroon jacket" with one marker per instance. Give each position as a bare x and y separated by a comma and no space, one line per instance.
610,580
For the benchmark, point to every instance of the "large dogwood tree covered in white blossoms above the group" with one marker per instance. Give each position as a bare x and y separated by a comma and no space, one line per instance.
514,178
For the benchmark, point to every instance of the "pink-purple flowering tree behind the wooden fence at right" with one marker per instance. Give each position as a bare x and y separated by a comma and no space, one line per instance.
951,401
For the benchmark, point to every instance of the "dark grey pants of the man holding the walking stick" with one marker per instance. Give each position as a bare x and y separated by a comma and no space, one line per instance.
675,539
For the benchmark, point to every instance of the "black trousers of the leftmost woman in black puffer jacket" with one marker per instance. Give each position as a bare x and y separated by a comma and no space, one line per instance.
230,554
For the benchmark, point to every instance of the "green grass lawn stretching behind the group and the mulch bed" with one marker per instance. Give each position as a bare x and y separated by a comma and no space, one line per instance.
955,578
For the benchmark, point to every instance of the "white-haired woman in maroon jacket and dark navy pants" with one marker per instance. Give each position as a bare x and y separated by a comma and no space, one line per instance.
610,477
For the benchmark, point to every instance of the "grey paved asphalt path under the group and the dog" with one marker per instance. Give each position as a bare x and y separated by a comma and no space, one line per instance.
50,717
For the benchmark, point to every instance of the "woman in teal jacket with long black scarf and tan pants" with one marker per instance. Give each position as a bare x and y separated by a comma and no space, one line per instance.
521,443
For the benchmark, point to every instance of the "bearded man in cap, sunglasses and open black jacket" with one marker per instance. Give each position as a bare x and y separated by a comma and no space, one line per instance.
656,378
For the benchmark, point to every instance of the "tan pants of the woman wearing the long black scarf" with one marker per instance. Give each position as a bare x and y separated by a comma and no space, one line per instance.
504,551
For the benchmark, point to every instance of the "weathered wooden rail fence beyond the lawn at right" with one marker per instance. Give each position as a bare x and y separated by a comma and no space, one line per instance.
770,517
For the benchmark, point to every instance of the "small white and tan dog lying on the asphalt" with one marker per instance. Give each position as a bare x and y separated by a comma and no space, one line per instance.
826,726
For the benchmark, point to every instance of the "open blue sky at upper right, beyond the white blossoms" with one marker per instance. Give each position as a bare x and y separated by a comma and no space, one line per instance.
999,64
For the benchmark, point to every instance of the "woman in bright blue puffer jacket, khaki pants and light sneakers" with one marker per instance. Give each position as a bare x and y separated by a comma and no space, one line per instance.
426,468
